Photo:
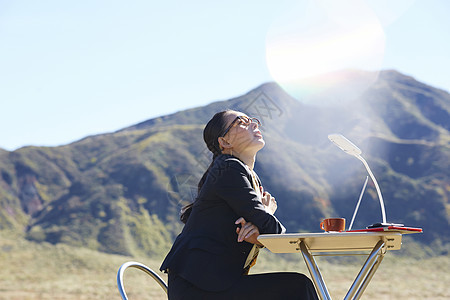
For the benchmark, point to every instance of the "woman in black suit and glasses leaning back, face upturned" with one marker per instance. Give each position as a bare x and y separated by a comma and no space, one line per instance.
211,257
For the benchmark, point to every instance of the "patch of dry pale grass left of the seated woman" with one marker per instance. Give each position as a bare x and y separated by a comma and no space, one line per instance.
44,271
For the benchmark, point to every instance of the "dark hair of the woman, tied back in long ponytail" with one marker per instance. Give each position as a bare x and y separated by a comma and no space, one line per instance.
213,130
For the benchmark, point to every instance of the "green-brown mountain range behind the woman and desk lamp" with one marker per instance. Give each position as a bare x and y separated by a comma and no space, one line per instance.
121,192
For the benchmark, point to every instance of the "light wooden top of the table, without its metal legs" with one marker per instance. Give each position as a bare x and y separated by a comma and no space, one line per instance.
330,241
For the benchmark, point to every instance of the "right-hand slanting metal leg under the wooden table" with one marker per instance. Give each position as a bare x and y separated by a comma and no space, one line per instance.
367,271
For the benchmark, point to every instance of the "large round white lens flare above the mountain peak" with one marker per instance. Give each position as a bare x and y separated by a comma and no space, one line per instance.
318,50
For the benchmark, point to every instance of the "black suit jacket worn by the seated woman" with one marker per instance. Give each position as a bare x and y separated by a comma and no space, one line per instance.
206,253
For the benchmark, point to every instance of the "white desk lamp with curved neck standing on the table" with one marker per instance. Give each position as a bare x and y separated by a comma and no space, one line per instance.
348,147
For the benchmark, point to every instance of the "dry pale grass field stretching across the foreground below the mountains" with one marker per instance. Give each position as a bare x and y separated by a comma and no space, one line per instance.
43,271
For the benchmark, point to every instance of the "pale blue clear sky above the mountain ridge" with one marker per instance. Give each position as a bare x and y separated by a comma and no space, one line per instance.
69,69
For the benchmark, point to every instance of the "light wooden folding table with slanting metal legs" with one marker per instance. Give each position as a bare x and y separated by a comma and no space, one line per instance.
376,243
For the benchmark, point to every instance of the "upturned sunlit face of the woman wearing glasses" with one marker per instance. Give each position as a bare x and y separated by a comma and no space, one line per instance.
243,133
